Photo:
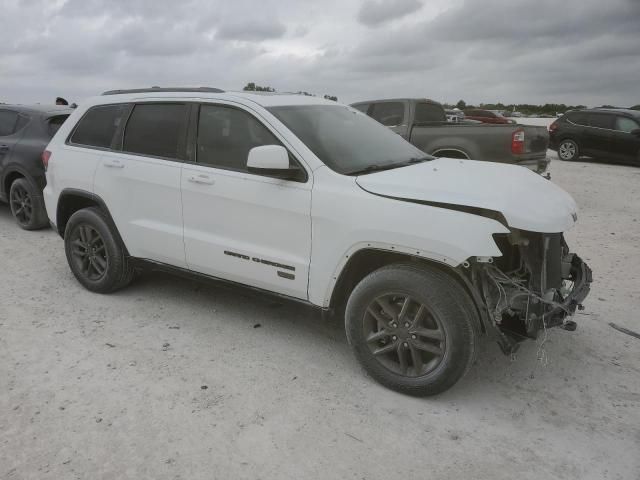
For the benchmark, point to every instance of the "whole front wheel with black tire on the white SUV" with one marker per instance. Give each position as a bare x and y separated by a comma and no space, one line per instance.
445,305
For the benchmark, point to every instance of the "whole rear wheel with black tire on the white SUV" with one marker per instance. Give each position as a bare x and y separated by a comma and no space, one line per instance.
94,252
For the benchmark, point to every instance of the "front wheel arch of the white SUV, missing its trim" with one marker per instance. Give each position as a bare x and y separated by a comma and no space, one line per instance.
366,260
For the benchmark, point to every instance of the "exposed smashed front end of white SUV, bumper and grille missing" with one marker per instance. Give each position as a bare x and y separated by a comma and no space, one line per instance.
536,284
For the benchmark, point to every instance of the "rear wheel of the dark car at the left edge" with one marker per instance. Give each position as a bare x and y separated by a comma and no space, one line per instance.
27,205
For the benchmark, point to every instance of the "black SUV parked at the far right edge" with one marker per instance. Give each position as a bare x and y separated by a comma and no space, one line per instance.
610,133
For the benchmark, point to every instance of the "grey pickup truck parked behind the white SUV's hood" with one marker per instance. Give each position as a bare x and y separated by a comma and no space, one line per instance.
424,123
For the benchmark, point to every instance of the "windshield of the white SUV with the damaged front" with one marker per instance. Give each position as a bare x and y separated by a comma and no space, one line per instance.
346,140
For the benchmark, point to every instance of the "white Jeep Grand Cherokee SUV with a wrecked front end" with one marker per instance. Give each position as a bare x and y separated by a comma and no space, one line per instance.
314,201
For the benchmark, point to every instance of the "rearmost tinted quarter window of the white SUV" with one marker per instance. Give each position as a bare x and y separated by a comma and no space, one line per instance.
98,126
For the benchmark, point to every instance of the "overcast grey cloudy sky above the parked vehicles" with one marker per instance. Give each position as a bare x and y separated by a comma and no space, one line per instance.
534,51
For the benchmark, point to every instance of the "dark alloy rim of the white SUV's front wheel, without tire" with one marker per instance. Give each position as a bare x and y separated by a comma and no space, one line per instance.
404,335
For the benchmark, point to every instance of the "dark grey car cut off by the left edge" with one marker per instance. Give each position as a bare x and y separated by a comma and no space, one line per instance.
24,133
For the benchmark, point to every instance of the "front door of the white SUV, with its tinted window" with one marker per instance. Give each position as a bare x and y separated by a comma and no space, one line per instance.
243,227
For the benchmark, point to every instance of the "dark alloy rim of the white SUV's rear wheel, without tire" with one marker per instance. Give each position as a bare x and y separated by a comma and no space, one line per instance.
88,252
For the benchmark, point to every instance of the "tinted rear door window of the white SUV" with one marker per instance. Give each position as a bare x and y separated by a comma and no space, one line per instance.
157,129
